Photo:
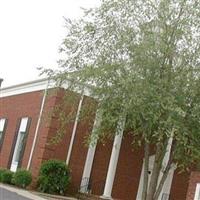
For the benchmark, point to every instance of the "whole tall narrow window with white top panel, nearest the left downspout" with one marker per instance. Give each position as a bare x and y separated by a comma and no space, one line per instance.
20,144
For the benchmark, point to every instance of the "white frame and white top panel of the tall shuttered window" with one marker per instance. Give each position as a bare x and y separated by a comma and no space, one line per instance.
22,129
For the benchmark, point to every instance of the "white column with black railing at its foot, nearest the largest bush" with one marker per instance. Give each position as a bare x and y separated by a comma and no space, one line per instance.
90,155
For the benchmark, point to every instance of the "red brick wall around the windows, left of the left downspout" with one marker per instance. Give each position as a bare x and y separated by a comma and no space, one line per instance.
13,108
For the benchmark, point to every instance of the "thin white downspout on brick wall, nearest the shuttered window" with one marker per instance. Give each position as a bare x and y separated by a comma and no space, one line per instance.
37,126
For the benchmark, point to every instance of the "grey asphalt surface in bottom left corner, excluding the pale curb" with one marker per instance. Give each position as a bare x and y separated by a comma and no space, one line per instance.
8,195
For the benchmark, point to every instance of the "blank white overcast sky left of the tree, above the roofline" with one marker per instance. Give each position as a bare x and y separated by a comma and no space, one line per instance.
30,34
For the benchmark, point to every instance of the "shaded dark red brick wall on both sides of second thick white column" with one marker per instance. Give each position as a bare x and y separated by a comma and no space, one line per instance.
128,171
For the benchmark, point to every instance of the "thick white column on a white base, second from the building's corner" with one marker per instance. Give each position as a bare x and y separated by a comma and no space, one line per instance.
114,159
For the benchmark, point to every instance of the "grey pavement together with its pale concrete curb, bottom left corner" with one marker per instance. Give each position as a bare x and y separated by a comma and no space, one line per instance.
11,193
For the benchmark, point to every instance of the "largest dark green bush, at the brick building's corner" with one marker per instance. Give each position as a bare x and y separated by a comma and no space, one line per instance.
53,177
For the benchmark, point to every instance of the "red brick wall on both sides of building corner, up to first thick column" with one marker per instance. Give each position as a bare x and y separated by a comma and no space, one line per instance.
14,107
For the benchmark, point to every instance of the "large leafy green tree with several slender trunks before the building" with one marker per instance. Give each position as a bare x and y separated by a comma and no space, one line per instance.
141,58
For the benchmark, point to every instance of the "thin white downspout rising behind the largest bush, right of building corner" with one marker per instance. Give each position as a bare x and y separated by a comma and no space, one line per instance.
74,130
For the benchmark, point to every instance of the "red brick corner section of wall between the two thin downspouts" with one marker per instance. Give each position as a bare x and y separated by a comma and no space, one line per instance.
45,149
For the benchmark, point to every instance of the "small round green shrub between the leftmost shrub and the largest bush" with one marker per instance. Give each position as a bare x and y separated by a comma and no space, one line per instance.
22,178
